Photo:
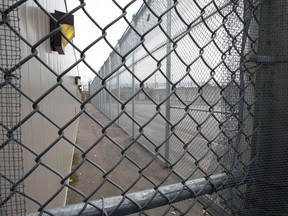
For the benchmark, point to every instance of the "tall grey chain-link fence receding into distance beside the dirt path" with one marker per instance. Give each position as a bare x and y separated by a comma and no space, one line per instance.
209,44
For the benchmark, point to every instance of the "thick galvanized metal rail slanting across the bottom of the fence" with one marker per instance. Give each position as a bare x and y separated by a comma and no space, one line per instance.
166,195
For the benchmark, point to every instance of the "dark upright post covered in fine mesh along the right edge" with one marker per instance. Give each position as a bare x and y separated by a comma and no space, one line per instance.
267,179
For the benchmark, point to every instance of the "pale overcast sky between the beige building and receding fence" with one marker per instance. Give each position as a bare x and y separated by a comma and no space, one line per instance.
103,12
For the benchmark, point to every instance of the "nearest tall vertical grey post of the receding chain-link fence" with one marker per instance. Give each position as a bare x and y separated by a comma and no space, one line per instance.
168,86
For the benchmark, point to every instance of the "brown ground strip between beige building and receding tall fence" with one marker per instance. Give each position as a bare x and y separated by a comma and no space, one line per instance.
112,156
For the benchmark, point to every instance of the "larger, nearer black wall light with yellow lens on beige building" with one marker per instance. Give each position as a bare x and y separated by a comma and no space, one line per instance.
58,42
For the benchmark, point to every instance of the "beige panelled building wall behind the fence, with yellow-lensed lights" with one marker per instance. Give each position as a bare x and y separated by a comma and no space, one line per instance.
38,133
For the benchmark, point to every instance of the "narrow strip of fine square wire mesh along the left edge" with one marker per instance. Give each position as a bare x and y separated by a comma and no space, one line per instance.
11,156
